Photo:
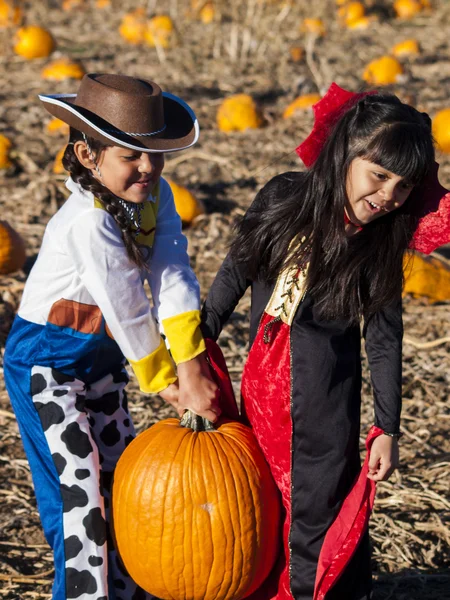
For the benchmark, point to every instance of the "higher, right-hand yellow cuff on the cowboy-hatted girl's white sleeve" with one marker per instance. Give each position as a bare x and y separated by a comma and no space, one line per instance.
184,335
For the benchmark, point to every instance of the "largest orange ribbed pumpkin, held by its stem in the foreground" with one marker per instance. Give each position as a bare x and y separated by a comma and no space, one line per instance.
196,512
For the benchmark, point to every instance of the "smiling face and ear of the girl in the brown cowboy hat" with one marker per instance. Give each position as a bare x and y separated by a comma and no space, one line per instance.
128,174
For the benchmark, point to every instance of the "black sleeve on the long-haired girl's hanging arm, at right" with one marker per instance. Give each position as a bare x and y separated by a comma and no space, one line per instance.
383,333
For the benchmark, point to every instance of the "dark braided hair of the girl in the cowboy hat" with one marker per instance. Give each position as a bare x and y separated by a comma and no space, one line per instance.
84,177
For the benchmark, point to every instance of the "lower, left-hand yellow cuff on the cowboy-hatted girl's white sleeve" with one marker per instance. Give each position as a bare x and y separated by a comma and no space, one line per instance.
155,371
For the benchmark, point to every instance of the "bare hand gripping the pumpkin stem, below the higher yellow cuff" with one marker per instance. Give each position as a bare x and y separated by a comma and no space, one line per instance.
198,392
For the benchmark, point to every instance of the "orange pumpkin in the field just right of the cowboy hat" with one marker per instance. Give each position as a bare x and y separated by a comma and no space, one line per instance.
238,113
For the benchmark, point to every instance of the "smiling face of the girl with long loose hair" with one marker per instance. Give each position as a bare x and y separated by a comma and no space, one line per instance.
373,191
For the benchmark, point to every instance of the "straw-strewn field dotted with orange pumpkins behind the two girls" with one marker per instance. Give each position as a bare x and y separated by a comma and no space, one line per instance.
251,70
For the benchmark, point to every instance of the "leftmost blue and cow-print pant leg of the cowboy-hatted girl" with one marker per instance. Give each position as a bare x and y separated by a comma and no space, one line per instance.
60,446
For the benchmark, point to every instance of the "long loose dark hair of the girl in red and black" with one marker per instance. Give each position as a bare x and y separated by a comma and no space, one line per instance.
299,217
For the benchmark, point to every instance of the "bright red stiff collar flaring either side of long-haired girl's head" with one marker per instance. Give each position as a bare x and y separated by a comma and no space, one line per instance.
431,200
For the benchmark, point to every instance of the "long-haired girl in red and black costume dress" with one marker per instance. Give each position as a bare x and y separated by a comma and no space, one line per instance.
322,251
